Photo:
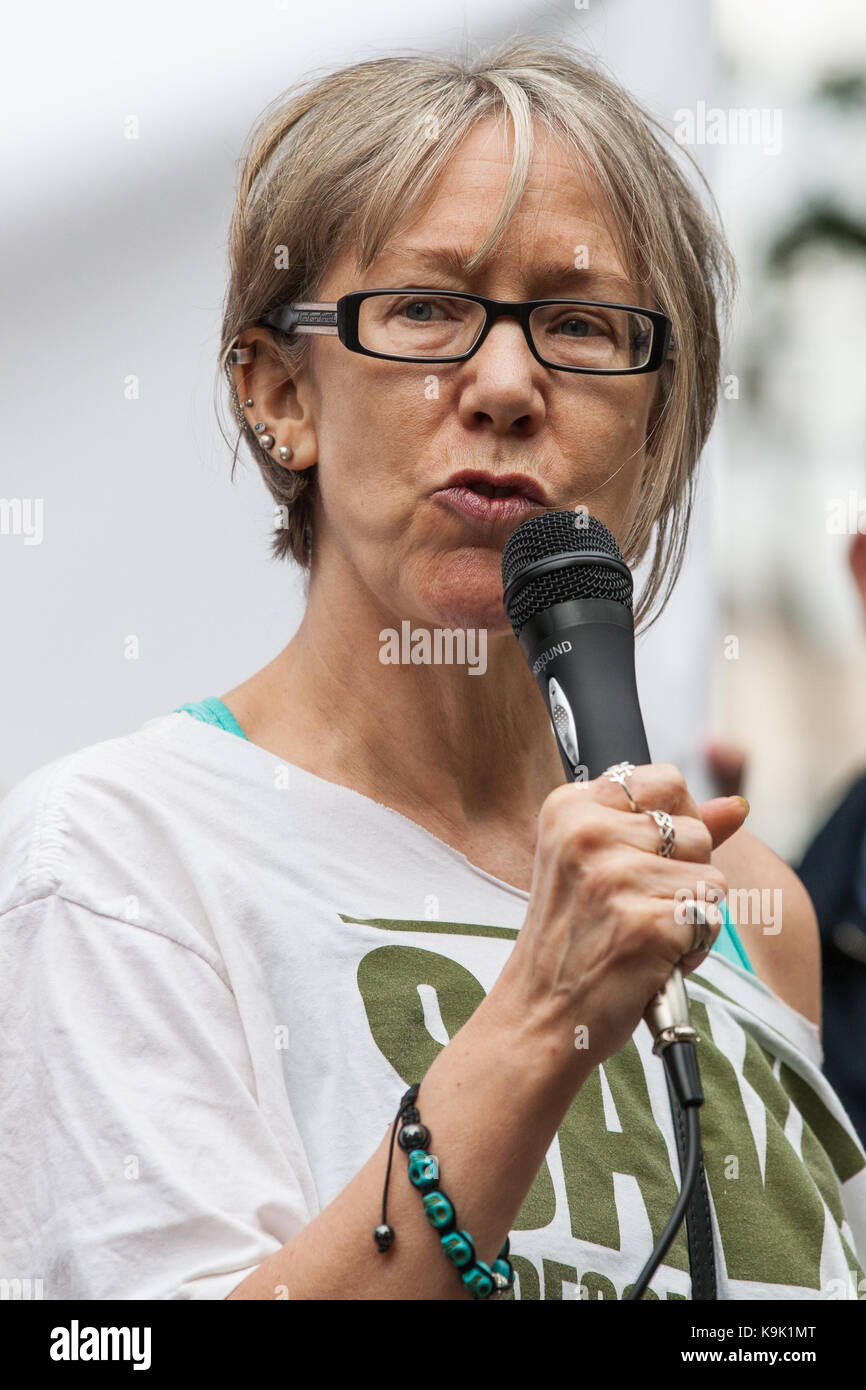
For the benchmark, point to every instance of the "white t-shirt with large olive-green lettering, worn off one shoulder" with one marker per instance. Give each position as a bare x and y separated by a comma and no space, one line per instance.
219,974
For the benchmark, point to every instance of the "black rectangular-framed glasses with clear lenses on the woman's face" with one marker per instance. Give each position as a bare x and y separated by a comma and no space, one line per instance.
450,326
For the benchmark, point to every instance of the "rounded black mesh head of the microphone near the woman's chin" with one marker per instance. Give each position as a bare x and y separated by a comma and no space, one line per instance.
548,537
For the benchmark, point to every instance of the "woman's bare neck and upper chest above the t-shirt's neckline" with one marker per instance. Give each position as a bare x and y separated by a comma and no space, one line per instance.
473,746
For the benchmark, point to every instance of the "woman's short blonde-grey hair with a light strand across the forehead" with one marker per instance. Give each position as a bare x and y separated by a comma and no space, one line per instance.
347,158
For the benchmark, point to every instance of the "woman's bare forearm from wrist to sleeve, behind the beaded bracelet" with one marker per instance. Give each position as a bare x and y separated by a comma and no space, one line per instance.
493,1103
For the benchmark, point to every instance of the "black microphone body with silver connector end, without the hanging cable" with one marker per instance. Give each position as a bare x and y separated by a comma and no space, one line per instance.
568,594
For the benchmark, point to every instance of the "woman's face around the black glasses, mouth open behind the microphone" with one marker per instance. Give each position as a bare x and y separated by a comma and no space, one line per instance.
389,436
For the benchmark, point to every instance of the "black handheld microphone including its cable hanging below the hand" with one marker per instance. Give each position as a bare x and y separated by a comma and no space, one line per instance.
568,593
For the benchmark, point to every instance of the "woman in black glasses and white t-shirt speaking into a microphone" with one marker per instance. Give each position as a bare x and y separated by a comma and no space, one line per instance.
234,940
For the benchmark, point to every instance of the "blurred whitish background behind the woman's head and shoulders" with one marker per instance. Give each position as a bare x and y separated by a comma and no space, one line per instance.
115,270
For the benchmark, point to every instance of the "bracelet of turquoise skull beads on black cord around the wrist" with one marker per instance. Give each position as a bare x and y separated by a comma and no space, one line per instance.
483,1281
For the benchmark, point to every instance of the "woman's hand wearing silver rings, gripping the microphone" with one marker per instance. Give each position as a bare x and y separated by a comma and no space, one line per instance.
601,935
